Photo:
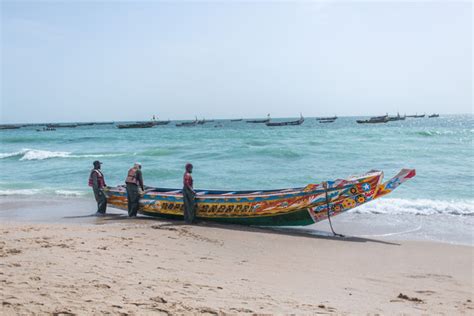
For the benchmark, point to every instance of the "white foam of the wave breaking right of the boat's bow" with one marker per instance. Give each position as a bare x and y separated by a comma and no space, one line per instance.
417,207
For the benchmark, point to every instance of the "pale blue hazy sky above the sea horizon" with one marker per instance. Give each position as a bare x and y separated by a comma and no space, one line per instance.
82,61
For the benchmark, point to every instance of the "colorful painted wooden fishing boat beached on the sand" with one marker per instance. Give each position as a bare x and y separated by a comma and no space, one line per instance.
287,207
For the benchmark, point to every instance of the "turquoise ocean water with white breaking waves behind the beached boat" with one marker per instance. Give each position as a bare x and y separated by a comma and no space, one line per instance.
238,155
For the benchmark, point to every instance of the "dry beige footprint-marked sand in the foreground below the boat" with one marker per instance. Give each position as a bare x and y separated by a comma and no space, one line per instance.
115,265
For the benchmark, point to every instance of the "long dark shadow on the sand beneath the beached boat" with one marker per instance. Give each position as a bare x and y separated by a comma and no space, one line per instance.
298,232
